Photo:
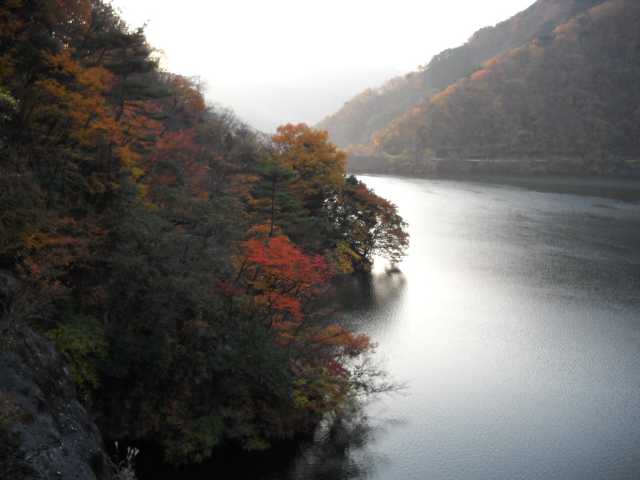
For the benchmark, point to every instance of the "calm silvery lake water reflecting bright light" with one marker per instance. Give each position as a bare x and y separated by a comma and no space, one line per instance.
516,326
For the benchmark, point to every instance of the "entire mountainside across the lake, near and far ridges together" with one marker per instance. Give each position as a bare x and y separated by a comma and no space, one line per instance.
566,100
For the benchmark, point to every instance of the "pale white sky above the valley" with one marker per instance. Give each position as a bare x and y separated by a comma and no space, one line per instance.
281,61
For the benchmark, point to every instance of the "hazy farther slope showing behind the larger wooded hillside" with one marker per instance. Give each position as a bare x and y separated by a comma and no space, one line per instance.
374,109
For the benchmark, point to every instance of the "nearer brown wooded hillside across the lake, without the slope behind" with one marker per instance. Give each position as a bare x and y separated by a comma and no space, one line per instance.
566,102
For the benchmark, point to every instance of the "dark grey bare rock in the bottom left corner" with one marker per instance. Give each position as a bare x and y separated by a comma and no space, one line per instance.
45,433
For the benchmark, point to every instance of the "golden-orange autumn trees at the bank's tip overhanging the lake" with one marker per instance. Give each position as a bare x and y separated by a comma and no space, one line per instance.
345,219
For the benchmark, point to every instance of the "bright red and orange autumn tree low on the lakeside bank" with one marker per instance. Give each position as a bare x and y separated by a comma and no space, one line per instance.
284,286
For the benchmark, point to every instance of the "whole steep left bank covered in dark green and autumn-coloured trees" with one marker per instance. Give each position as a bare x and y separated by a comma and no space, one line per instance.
176,257
